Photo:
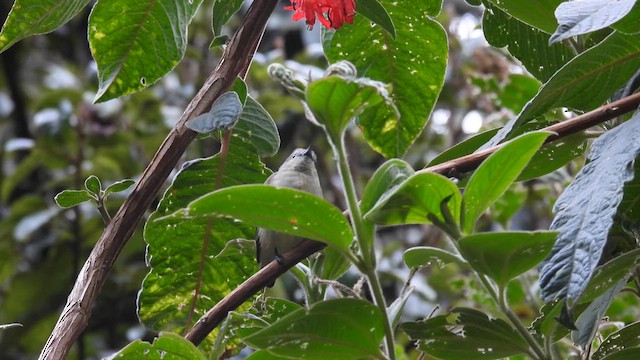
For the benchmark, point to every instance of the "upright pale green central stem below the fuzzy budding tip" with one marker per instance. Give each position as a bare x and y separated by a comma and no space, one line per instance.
365,242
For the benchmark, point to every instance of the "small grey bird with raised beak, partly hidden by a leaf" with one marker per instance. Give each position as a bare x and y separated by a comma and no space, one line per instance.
297,172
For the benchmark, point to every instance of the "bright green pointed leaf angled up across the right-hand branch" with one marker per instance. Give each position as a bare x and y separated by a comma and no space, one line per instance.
495,175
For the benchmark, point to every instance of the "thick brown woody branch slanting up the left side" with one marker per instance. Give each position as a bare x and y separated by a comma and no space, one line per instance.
235,61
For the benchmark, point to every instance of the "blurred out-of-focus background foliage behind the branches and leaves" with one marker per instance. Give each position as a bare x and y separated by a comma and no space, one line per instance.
52,138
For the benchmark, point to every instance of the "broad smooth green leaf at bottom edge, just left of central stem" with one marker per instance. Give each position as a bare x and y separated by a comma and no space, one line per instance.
308,333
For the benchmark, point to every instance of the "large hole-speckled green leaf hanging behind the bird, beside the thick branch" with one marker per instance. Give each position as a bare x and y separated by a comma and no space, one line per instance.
177,252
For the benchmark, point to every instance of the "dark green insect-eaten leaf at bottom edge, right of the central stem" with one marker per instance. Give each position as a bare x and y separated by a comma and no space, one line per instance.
466,334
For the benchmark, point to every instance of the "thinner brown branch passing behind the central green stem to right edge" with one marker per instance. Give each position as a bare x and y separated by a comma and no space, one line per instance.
269,273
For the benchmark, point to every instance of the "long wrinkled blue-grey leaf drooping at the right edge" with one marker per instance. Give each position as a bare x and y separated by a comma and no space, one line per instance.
585,212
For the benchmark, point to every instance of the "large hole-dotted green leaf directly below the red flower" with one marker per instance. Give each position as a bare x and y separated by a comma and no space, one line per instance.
413,64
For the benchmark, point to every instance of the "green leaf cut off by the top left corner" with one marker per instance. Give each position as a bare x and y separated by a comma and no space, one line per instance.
30,17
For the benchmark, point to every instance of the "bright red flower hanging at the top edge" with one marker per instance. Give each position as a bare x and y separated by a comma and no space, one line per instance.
331,13
